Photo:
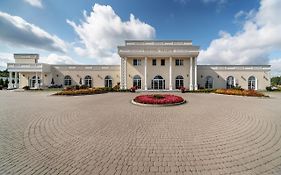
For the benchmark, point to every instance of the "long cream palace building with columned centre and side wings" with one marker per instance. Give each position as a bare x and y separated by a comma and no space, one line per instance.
146,64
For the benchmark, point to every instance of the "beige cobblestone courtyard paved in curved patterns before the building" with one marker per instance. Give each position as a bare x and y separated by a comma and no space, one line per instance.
106,134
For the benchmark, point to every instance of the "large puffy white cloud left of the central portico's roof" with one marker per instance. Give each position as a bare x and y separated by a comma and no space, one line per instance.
102,30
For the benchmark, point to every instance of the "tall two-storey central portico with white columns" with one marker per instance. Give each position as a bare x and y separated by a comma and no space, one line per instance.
158,65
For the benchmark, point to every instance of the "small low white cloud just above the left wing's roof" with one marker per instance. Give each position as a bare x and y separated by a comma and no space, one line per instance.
57,59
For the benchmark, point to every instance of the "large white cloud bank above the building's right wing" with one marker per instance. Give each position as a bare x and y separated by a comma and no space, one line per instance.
252,45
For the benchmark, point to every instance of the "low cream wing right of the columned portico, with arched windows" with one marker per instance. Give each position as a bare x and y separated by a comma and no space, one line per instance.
255,77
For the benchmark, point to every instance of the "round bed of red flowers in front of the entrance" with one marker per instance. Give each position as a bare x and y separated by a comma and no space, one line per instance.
159,99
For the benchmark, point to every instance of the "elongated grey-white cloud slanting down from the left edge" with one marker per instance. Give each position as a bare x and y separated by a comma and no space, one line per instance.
16,31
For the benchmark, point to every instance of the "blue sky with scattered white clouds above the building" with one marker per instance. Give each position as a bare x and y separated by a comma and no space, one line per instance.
89,31
